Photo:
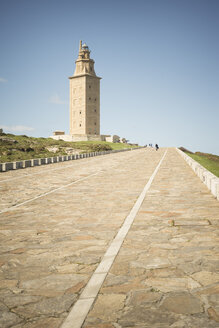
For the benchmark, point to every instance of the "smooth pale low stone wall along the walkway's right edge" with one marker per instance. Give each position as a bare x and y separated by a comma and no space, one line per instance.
208,178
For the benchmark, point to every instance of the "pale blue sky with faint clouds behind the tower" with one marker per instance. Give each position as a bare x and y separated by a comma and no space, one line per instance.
158,60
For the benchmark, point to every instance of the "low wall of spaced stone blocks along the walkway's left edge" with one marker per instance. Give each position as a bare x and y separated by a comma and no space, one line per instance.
43,161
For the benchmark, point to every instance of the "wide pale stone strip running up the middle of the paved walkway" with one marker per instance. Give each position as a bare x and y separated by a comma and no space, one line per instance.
81,308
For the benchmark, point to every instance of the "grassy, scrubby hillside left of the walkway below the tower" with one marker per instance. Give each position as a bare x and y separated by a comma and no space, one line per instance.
13,147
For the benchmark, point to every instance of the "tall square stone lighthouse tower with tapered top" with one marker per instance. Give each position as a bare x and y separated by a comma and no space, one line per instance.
84,98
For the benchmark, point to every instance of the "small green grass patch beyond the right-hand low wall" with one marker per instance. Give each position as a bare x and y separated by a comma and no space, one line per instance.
209,161
